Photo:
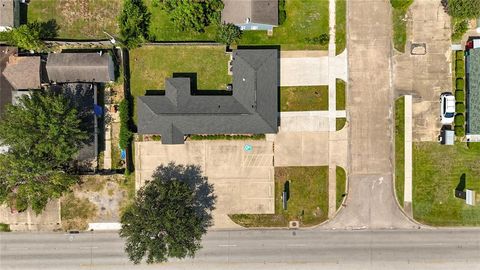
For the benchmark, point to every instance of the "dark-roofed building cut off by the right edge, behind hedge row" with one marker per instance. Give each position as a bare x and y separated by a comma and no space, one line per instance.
472,62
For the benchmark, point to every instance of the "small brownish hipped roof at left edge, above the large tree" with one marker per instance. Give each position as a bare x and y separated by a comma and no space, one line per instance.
25,72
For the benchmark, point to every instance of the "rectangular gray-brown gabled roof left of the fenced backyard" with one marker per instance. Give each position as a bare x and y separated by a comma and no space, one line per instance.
80,67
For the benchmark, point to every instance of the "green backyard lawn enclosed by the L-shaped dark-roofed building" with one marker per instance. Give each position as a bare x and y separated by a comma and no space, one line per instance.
151,65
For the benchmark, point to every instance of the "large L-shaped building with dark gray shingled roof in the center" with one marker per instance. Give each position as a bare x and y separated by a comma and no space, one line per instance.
251,108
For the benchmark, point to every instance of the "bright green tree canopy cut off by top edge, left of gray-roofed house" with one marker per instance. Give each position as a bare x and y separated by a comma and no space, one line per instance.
193,15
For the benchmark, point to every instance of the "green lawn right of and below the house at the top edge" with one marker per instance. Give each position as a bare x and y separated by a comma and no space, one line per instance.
306,19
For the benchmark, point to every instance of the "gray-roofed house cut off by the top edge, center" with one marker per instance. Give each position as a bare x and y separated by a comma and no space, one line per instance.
251,14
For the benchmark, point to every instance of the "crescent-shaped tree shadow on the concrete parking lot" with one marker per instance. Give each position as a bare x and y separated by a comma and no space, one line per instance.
192,176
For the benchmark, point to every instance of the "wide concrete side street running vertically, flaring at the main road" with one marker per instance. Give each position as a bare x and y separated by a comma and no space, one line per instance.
370,201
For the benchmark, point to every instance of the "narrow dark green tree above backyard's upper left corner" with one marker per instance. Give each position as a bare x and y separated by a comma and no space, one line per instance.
134,21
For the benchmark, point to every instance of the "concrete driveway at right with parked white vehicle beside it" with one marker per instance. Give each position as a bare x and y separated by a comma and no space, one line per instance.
426,76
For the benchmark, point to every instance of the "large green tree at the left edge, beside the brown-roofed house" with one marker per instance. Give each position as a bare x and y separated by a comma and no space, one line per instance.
43,134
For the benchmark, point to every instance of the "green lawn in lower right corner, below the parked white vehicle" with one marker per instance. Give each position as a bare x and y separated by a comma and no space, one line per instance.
437,172
